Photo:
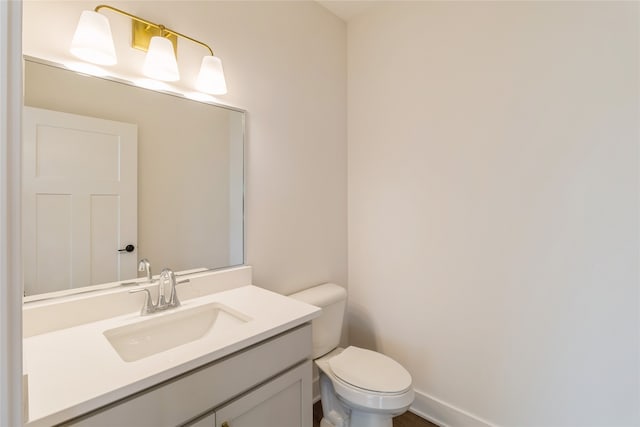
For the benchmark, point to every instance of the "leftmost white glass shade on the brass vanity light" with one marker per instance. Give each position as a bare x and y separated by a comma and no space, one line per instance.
92,40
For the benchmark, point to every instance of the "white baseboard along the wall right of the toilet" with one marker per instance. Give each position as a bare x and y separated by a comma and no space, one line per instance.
443,414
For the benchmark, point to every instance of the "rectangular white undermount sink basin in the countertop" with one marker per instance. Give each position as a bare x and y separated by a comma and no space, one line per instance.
166,331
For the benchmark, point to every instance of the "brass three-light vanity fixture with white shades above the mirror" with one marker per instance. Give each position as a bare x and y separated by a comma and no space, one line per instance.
93,42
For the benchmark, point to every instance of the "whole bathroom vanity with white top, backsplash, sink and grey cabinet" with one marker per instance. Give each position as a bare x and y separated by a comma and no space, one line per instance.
232,355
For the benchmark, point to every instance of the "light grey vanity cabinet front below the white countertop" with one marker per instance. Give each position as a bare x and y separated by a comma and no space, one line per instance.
265,385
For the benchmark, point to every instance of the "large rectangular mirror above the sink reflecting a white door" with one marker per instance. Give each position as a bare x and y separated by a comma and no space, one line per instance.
108,165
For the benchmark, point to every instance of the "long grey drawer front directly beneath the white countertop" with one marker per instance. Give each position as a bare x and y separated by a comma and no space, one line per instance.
175,401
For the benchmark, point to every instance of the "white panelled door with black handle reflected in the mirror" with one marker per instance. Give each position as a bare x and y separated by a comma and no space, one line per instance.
79,200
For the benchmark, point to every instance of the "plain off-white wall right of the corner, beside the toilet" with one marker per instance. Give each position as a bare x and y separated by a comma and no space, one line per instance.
493,206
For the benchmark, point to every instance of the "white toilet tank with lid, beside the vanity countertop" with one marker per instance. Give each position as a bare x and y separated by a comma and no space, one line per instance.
326,329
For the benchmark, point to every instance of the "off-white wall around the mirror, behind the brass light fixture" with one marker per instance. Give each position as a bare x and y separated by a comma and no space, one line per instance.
285,64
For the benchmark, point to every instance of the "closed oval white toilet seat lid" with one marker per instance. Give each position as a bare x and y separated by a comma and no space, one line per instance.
370,371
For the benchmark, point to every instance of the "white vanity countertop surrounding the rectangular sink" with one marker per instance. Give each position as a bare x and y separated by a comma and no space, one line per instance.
76,370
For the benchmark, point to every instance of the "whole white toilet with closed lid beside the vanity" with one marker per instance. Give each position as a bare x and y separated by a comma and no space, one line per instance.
358,387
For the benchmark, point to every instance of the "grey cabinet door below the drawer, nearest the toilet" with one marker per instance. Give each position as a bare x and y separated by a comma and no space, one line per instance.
282,402
